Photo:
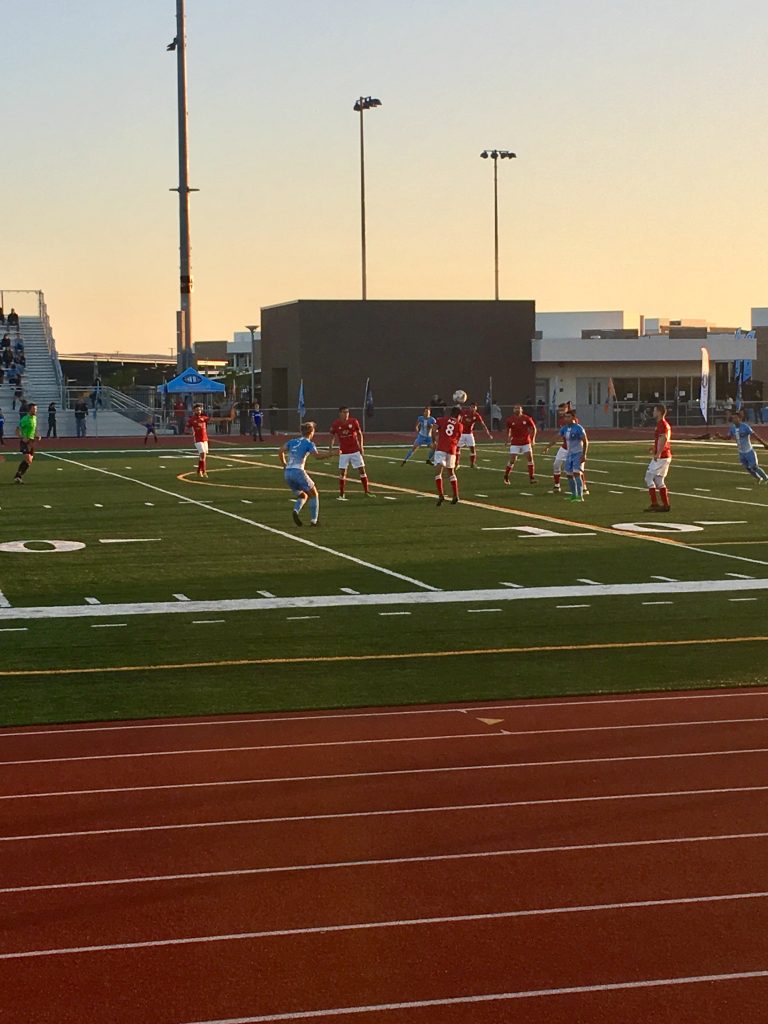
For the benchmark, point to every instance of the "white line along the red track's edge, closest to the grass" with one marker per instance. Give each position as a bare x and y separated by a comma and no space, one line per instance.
268,719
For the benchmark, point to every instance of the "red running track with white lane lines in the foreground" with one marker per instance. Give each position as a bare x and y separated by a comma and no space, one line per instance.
574,861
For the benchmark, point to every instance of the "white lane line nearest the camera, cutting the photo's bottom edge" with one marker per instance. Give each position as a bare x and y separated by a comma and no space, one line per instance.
533,994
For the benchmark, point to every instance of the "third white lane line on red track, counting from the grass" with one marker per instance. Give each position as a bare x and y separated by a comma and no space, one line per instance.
389,774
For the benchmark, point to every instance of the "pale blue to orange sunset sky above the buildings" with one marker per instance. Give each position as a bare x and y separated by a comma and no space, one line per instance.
639,125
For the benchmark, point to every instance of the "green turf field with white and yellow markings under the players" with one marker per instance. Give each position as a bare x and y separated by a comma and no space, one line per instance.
133,589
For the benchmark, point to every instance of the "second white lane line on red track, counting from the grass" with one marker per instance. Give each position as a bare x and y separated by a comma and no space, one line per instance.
697,723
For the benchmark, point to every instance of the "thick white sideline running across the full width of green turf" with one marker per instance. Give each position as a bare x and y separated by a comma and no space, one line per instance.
348,601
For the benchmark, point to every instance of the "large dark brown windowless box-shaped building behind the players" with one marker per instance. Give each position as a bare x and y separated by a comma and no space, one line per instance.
410,350
